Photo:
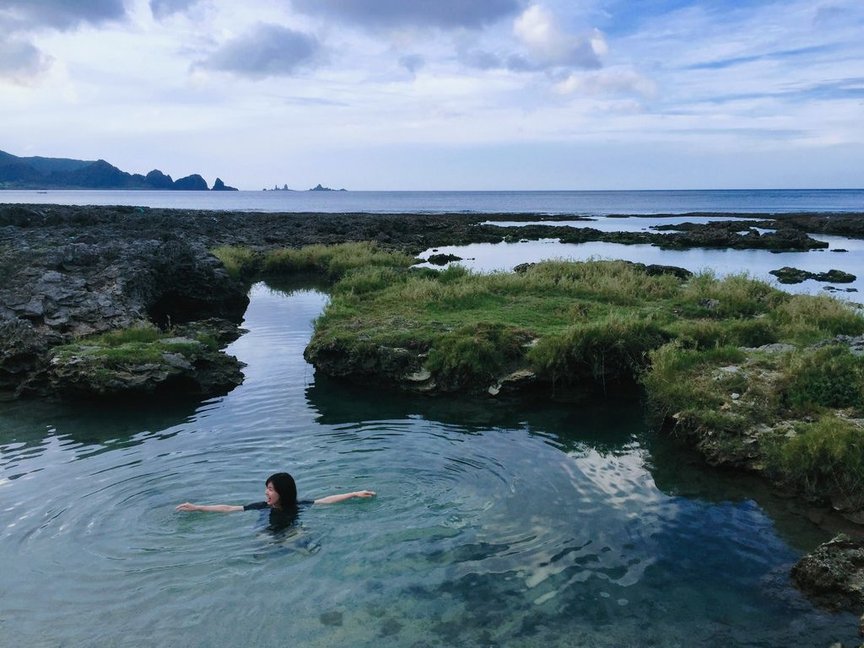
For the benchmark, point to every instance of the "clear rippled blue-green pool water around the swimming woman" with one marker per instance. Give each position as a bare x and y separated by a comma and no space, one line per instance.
505,524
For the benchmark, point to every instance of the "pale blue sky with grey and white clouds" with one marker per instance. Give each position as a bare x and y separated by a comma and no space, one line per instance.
443,94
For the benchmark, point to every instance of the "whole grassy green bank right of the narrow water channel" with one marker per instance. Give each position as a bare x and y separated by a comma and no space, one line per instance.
693,344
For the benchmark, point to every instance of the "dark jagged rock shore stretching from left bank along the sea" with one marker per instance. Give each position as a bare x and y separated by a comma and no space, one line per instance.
70,271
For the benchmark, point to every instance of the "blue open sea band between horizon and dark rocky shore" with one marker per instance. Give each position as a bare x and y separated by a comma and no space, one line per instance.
589,203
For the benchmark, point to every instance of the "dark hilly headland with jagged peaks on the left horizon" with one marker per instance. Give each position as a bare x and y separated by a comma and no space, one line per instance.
62,173
